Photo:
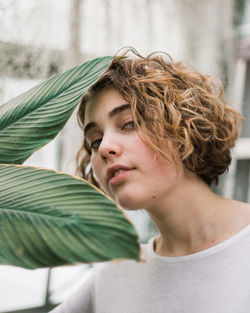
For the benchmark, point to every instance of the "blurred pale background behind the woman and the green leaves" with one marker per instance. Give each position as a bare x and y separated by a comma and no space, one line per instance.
41,38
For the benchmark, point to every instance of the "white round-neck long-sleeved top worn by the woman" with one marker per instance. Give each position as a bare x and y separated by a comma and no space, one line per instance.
215,280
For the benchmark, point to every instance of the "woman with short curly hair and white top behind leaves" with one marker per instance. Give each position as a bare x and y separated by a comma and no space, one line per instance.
157,135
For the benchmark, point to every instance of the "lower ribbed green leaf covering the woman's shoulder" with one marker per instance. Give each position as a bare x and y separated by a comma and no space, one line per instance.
49,218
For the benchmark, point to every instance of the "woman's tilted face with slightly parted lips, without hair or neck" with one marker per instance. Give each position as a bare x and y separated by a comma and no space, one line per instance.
126,168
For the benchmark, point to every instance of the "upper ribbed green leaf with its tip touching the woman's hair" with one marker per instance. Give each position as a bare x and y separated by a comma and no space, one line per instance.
36,116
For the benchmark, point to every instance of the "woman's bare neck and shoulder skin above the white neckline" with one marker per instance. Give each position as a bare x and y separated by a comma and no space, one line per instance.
192,218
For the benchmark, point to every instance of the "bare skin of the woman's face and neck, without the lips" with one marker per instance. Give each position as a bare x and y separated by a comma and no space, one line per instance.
189,216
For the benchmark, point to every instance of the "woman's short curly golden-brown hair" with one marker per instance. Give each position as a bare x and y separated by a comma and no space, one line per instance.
175,109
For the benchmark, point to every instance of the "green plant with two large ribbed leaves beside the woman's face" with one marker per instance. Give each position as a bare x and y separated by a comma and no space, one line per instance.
49,218
